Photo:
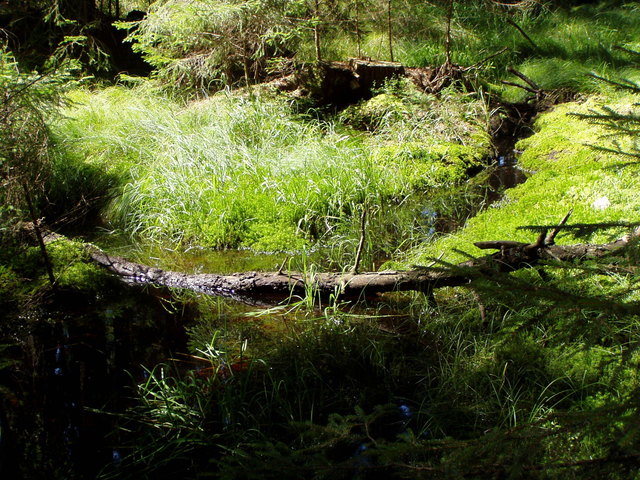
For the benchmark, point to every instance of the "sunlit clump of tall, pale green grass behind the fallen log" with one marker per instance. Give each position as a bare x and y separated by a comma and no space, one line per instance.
222,172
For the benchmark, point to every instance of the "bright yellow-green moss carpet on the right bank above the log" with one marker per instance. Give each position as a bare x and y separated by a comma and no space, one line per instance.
565,173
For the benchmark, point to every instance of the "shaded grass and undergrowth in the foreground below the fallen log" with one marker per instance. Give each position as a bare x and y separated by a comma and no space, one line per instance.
420,393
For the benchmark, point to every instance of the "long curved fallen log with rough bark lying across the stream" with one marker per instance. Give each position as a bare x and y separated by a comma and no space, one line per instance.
271,285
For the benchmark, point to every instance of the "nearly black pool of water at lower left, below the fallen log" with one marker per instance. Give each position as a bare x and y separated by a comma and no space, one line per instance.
72,365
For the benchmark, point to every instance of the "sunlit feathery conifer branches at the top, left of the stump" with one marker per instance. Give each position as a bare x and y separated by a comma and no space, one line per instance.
204,45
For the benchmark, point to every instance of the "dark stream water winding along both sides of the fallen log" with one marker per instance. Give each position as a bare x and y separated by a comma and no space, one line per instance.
72,364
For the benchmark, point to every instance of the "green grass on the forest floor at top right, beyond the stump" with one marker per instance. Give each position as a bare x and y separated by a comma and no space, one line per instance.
567,43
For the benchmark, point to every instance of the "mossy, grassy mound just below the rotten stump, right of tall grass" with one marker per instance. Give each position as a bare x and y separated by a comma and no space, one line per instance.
422,141
